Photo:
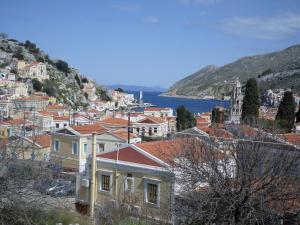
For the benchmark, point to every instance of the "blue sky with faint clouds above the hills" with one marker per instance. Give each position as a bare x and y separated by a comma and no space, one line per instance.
151,42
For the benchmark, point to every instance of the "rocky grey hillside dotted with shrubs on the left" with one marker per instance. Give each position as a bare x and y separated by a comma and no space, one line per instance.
64,83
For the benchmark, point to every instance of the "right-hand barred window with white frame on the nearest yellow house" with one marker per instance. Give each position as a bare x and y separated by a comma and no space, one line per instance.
152,192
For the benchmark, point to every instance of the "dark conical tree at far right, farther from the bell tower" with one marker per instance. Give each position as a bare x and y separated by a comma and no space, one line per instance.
285,117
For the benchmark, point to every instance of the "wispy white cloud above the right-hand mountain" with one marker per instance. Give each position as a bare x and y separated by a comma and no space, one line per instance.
268,28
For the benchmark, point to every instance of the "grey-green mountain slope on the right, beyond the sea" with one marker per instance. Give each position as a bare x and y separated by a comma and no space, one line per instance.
273,70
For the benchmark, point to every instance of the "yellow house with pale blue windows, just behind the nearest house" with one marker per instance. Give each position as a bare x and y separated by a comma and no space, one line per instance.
71,146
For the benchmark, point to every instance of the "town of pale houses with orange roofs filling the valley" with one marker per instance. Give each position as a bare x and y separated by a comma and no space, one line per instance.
116,153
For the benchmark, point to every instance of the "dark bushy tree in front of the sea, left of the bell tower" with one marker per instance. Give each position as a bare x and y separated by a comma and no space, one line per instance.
185,119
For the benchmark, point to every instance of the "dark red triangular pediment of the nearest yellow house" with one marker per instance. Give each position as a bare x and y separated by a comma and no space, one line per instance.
128,154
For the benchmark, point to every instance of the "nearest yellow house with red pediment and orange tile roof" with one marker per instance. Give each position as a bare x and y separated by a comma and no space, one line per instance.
137,175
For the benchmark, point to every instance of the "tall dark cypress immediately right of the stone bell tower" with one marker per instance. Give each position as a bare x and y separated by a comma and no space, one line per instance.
250,107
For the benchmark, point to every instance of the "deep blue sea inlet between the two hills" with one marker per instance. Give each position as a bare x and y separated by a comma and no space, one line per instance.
193,105
